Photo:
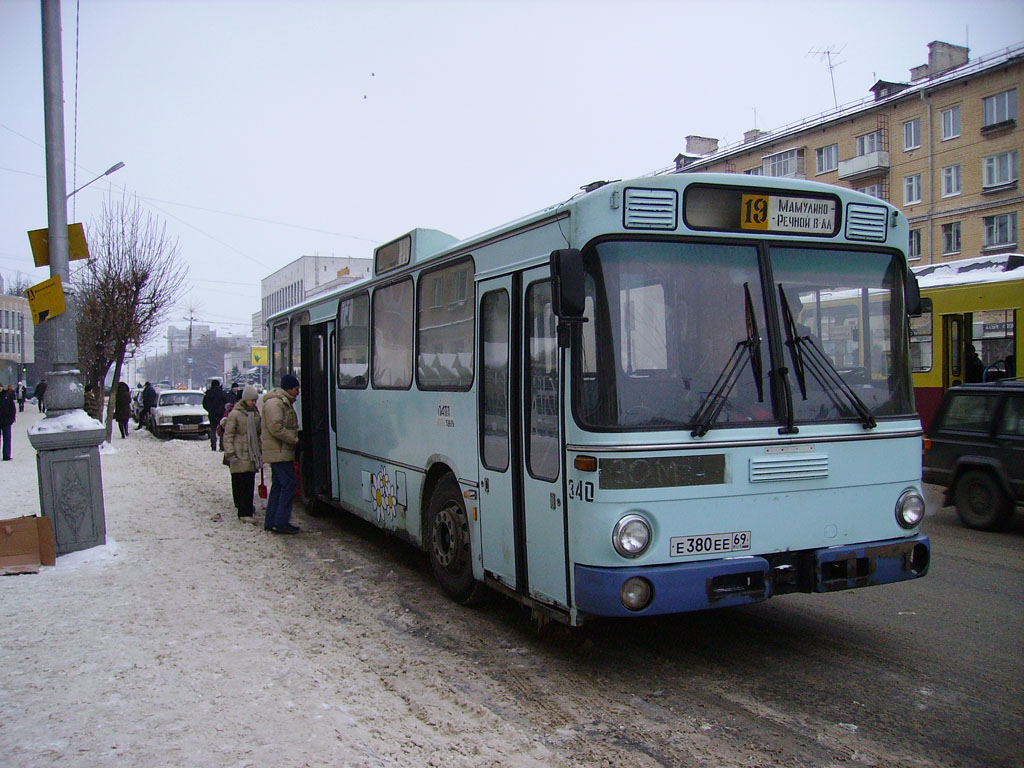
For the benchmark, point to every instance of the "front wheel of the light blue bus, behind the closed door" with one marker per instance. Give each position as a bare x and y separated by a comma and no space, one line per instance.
449,546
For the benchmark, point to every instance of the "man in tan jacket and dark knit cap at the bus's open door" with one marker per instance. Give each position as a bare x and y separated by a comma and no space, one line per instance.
281,439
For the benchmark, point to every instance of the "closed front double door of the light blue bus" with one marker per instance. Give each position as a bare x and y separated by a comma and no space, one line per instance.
523,514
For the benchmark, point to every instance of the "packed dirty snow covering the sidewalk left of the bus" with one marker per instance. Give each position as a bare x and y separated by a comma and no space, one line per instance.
185,642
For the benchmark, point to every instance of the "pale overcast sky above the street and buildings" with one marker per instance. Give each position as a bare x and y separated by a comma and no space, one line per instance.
263,132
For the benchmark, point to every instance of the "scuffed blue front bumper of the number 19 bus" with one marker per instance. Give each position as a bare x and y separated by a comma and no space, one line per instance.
738,581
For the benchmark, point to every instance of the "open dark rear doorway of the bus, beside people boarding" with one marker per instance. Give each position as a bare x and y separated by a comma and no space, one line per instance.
318,413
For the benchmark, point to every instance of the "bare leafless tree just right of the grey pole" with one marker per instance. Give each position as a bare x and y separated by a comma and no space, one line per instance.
124,291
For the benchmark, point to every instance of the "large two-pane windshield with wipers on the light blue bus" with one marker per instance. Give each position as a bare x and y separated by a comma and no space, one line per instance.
677,337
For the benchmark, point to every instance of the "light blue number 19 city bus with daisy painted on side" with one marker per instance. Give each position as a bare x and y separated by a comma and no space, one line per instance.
667,395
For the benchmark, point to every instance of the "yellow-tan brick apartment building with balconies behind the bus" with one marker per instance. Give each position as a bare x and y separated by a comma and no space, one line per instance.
945,148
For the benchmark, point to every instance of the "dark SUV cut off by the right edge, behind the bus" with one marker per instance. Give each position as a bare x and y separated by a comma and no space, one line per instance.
975,448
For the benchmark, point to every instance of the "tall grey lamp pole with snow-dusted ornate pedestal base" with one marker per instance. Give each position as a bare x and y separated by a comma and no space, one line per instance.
71,491
